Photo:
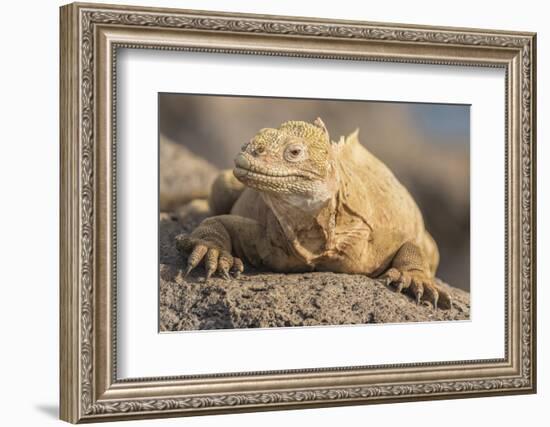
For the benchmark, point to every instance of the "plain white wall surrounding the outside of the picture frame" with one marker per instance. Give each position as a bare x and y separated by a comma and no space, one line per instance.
29,170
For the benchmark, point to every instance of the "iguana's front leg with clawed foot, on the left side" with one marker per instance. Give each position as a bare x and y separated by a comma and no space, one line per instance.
222,241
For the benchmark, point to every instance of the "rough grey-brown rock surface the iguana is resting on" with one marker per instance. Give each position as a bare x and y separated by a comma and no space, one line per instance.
260,299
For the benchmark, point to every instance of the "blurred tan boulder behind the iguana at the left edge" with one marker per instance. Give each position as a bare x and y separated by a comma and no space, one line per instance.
183,176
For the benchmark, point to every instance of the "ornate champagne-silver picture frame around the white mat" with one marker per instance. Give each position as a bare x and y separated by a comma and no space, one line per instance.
90,37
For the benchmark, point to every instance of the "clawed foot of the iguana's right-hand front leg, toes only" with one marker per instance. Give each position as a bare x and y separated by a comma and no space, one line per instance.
422,287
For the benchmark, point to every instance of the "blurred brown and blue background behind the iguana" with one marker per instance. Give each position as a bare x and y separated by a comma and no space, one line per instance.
427,146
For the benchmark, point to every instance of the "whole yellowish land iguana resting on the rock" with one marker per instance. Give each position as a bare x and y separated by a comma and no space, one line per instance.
297,202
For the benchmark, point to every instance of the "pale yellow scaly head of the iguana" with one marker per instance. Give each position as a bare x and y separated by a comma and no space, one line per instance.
293,161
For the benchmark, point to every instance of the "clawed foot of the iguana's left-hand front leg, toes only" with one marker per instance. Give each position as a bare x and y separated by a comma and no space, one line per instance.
216,259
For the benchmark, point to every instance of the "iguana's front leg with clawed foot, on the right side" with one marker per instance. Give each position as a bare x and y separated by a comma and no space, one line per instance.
410,270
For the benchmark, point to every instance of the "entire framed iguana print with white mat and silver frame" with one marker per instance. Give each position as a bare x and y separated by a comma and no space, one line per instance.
266,212
